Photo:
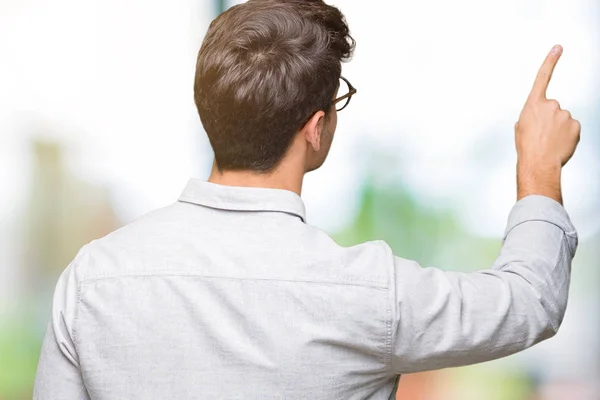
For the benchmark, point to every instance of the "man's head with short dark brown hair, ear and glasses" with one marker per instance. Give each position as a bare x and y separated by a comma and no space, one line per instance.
266,77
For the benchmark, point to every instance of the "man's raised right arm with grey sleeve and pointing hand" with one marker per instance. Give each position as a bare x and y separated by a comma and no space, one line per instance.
447,319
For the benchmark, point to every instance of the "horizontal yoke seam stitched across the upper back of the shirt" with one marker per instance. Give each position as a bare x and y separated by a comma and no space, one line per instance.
374,285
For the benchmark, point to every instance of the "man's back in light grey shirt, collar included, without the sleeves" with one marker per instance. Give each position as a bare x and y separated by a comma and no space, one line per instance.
226,295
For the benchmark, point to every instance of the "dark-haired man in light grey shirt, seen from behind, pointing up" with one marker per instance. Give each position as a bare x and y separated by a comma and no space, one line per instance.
229,294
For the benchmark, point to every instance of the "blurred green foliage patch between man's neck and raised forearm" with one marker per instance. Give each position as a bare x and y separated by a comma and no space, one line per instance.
431,236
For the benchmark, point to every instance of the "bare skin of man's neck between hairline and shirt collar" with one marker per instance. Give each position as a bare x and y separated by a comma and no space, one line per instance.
281,178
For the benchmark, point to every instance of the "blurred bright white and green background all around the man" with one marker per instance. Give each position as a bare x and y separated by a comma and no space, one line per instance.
98,127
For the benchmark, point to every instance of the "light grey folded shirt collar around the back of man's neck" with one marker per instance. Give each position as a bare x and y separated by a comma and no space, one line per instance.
243,198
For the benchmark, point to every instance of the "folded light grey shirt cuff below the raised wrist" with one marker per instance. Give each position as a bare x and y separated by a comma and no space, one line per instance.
541,208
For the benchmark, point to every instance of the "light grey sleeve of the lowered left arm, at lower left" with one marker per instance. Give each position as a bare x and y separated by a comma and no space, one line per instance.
58,373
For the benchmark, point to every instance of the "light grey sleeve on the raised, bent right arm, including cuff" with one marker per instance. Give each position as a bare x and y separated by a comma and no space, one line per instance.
448,319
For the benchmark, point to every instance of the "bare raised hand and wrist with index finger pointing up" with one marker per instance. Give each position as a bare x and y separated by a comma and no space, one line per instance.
546,137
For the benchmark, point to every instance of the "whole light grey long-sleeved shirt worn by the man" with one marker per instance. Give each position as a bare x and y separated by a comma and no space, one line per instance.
228,294
